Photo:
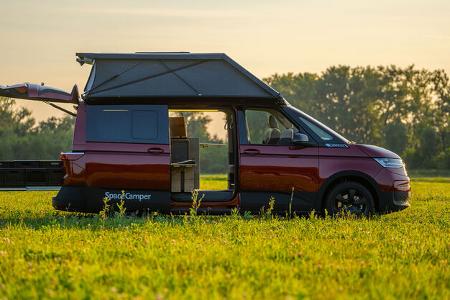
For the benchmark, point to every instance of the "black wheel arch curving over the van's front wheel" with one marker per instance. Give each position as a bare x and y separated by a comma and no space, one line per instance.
350,175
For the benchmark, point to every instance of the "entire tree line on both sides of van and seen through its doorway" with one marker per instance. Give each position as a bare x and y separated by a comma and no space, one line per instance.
406,110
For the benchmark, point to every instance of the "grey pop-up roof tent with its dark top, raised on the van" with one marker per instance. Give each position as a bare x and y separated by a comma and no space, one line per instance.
168,75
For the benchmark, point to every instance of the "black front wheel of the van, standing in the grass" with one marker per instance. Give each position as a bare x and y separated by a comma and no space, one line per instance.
349,198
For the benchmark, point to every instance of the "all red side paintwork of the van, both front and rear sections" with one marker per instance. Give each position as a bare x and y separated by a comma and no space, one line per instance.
266,168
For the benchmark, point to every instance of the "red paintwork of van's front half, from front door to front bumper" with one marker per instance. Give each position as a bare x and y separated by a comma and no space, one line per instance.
279,168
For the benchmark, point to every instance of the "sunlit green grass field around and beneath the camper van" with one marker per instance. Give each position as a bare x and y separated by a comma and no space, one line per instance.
50,254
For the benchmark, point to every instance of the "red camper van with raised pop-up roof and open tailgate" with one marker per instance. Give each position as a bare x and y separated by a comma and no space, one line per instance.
130,142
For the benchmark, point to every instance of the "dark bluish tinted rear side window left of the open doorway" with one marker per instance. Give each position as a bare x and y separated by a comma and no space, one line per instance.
127,123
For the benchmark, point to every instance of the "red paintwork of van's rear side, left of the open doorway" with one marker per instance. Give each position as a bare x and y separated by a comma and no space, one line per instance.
116,165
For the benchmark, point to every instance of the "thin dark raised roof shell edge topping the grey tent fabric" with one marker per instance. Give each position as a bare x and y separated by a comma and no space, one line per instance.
91,57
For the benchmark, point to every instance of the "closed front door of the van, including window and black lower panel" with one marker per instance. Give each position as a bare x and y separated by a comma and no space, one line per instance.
272,166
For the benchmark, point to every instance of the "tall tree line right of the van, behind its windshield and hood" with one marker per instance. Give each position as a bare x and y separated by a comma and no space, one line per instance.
403,109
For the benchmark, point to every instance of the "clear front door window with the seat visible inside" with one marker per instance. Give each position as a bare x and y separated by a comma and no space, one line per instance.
268,127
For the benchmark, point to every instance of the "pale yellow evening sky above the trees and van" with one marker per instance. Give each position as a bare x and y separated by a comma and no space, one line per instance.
39,39
